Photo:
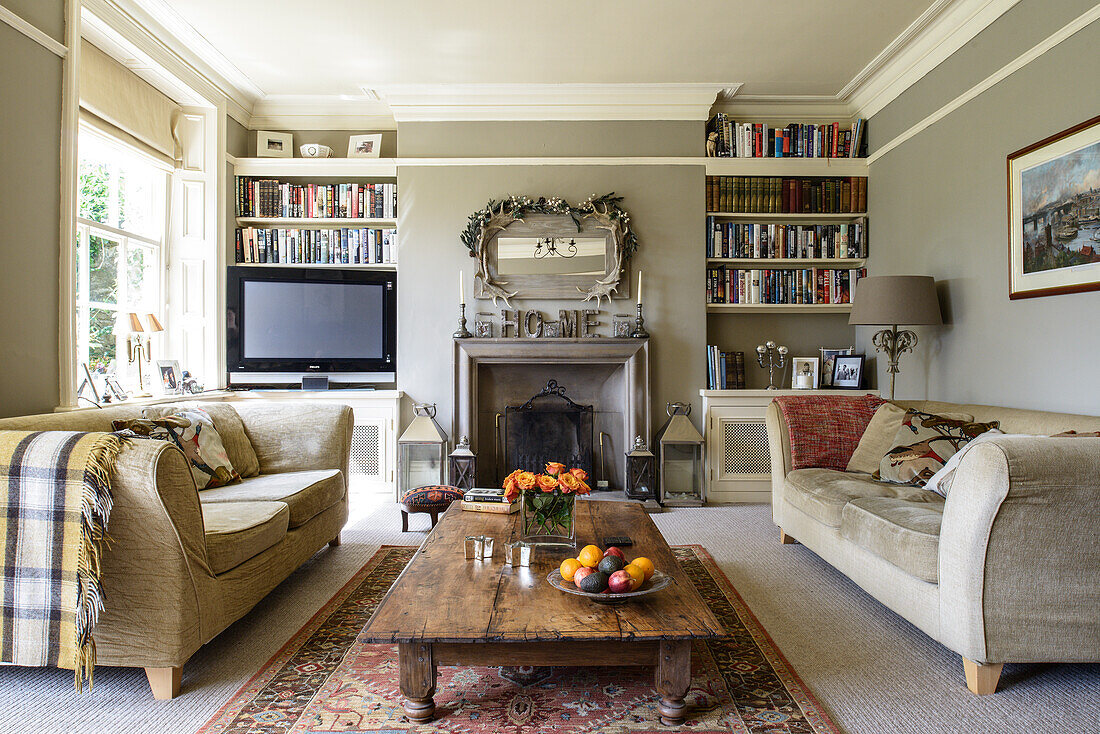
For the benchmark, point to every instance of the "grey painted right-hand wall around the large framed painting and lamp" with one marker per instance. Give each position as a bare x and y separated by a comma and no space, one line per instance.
939,207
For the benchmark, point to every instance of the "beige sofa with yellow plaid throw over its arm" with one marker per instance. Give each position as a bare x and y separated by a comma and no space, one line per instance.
184,565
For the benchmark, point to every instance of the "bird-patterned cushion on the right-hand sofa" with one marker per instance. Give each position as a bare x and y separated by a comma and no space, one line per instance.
925,444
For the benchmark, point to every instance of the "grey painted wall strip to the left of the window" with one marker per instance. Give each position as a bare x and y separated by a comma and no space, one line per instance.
30,189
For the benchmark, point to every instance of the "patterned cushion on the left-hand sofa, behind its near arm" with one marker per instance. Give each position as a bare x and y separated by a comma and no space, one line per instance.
193,432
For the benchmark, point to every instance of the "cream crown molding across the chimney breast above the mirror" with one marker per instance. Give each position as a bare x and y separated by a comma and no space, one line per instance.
421,103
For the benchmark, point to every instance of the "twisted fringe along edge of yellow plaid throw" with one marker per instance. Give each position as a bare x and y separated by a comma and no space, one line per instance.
95,509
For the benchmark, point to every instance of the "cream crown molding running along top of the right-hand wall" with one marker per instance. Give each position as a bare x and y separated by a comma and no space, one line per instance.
943,29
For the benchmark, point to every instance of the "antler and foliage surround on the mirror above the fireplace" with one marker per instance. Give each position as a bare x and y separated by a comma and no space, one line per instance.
604,211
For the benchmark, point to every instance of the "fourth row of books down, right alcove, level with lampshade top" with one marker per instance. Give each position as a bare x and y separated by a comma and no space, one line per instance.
807,286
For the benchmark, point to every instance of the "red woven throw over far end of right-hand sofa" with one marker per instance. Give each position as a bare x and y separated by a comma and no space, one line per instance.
826,430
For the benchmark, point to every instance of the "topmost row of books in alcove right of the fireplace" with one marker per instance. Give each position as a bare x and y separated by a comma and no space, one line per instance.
730,139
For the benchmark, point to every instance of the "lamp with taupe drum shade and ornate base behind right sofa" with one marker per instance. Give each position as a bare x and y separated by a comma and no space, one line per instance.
892,301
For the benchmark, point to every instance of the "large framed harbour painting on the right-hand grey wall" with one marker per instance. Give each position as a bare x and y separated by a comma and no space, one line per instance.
1054,214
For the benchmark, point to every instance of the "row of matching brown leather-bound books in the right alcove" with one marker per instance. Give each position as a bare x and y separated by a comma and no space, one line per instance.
776,195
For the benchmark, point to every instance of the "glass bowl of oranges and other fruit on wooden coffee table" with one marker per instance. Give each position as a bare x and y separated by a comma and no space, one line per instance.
607,577
